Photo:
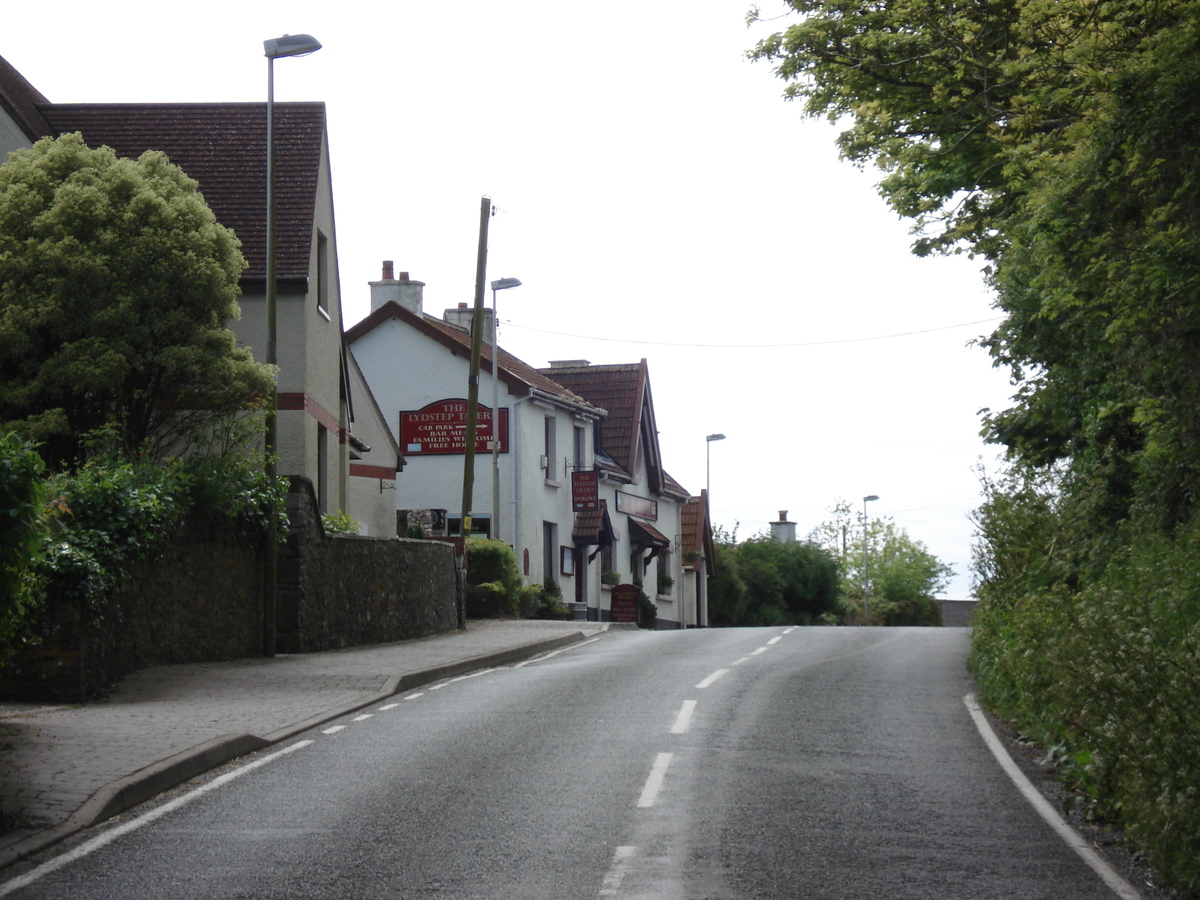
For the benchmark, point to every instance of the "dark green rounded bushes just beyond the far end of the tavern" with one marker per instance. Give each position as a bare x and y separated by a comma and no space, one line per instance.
766,583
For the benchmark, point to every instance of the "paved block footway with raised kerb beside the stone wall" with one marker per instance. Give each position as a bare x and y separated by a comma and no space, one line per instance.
64,769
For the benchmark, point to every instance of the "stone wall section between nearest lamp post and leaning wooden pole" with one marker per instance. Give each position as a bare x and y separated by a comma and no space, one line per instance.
349,591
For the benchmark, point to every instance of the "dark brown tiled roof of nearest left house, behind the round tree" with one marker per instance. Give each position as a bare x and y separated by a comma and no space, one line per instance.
224,147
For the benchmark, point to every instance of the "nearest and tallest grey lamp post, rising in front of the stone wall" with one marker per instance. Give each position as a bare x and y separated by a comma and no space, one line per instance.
275,49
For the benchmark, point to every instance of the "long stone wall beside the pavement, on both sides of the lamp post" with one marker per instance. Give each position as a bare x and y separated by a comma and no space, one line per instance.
202,601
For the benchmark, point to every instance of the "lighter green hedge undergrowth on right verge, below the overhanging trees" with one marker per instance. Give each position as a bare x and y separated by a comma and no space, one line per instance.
1105,668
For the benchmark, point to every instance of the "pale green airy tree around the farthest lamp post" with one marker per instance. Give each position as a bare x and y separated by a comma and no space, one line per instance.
904,575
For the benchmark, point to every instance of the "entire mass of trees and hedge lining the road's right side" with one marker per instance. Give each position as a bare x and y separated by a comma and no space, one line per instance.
1060,142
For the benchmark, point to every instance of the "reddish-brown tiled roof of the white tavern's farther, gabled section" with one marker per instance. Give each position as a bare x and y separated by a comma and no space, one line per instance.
622,391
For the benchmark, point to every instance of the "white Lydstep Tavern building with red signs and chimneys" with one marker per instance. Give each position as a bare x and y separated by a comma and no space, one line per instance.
561,429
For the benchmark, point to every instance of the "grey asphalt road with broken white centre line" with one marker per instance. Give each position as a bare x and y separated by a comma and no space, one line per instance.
739,764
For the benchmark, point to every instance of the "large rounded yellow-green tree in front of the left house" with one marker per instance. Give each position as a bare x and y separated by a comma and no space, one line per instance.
117,285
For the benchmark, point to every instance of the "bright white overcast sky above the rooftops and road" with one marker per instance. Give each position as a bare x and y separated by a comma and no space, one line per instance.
657,197
